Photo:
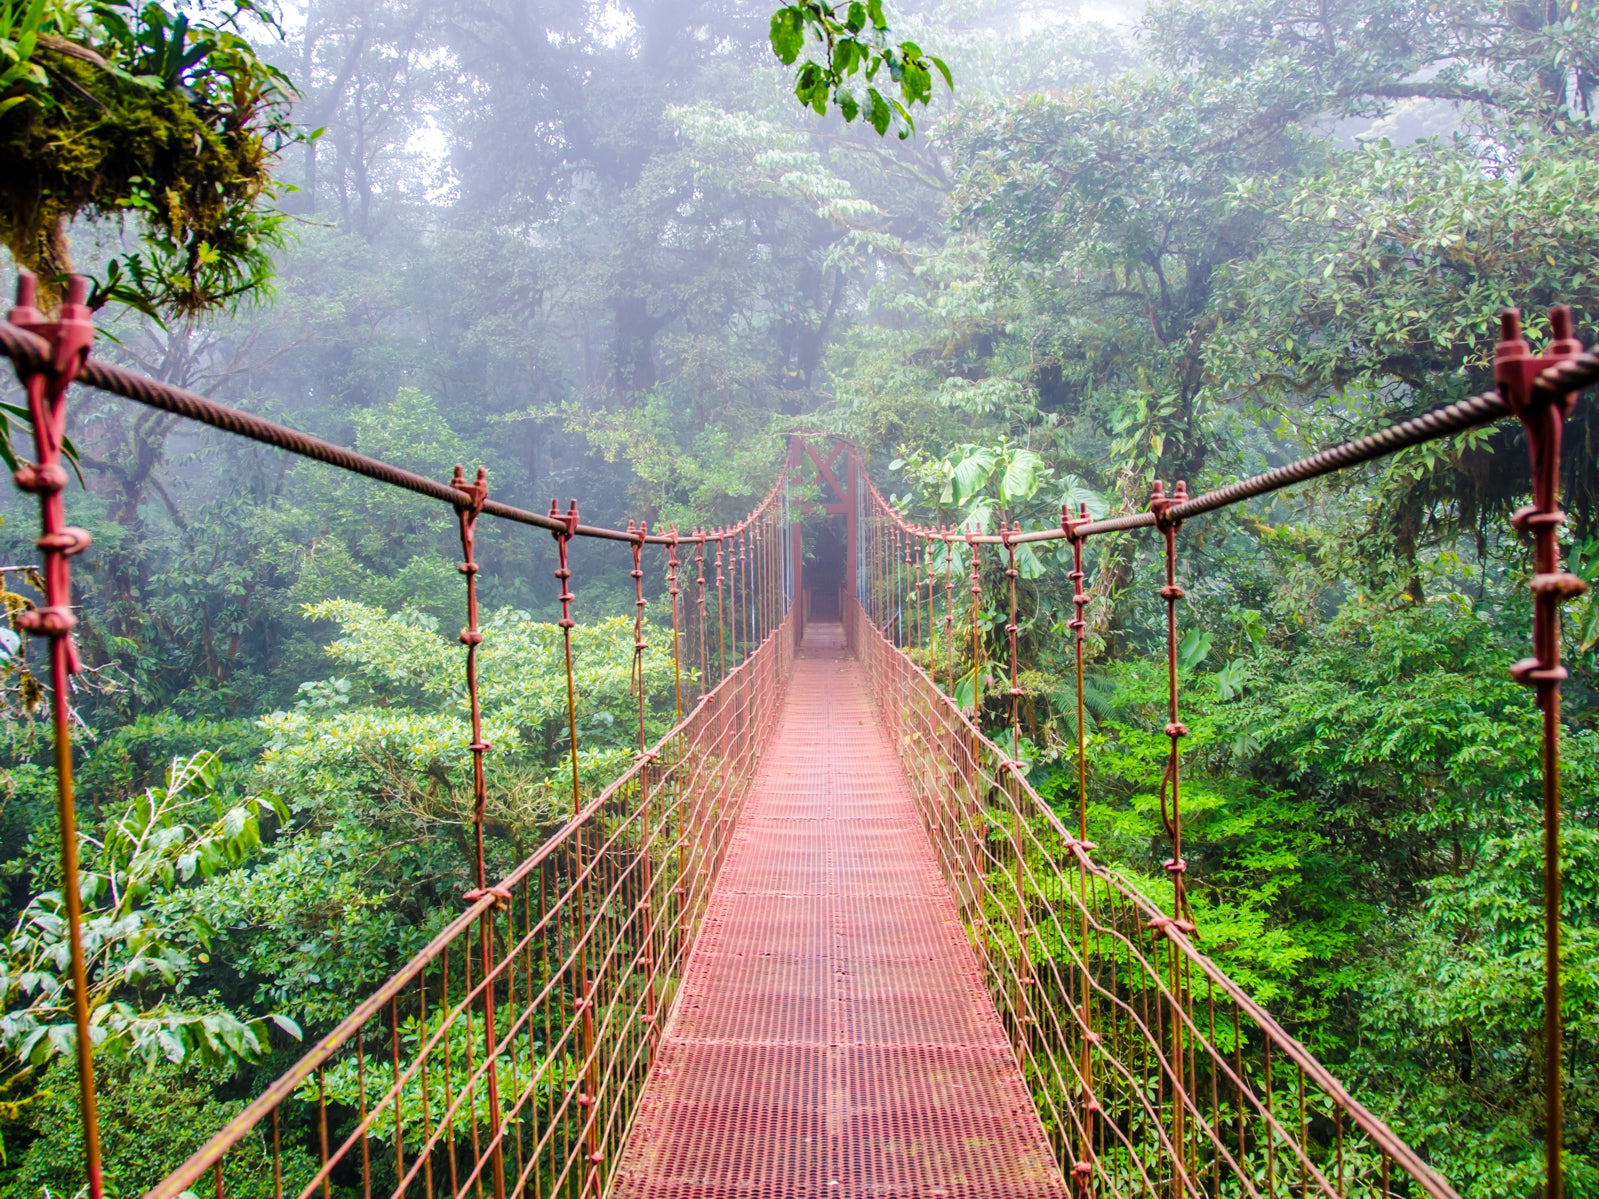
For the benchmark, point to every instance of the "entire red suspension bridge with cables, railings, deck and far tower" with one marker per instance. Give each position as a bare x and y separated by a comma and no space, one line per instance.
823,938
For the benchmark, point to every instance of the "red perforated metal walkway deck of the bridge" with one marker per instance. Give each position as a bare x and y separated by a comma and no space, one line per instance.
834,1035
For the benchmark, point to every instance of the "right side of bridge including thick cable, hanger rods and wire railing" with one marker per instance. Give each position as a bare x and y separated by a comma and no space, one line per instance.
1150,1067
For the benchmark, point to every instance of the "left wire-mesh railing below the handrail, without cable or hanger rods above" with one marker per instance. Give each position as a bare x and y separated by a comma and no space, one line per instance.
509,1056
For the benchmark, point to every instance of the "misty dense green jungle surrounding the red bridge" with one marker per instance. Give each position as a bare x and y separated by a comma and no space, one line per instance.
602,250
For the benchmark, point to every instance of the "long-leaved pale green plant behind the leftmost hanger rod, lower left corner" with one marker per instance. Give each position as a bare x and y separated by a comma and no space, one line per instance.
145,958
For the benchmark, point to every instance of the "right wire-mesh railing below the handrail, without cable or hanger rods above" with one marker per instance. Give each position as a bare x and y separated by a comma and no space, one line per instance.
1152,1070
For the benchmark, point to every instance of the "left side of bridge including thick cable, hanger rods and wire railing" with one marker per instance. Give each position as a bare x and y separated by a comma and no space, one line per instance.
508,1058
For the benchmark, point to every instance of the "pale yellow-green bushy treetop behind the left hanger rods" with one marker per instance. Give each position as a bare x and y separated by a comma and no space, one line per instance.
373,768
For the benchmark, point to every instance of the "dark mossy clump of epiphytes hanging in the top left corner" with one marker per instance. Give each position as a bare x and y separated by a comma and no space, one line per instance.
119,111
